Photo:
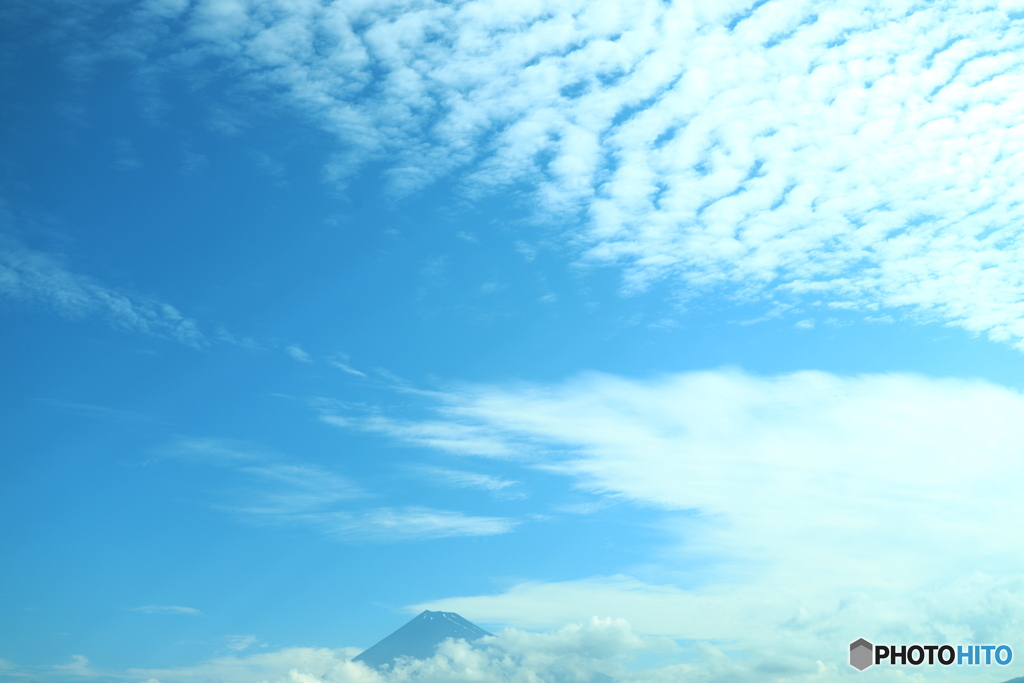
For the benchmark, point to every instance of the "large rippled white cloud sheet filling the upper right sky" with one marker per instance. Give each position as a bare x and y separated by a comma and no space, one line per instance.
861,152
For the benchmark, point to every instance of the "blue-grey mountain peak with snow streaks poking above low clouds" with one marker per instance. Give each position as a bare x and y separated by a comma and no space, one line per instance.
420,638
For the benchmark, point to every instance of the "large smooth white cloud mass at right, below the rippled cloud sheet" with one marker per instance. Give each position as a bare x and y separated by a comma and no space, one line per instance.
807,507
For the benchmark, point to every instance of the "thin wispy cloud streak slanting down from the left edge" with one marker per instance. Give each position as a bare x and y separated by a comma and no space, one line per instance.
36,278
